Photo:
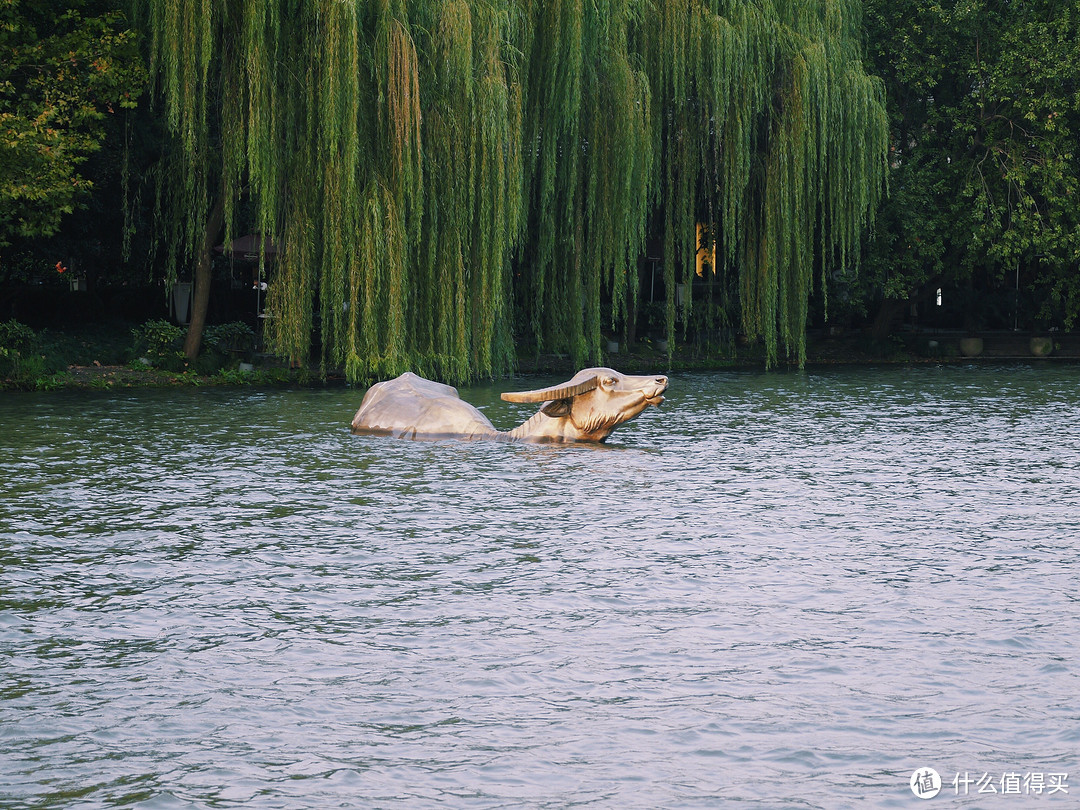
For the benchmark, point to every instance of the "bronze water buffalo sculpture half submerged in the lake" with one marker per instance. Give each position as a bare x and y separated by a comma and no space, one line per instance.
586,409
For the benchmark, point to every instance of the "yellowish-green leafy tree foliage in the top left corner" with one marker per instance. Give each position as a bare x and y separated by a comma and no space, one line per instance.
63,70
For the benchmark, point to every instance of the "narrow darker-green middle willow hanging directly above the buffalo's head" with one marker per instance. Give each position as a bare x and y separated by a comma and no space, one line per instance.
588,169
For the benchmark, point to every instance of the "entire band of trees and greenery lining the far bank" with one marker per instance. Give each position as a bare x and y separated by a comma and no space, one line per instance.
462,187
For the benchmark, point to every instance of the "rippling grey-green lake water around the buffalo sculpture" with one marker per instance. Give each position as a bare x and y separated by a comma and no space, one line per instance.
778,590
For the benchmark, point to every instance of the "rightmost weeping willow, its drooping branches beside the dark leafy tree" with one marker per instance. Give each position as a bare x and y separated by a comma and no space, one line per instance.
771,132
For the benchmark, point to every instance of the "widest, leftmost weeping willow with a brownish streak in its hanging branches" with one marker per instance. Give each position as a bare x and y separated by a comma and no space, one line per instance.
379,144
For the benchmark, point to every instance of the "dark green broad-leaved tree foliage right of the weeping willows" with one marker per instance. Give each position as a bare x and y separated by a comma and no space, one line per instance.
984,100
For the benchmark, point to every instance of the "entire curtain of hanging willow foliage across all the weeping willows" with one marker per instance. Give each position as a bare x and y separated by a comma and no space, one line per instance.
441,175
